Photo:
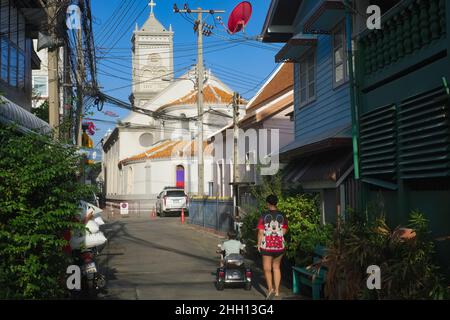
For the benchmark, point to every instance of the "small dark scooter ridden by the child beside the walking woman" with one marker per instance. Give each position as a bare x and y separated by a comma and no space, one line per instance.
234,271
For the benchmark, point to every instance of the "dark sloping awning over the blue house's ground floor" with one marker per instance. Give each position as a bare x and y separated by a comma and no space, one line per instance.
329,167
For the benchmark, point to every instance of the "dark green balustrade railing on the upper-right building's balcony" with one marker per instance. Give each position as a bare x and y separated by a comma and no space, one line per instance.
406,29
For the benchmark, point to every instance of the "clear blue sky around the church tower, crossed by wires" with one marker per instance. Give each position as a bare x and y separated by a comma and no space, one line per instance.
243,64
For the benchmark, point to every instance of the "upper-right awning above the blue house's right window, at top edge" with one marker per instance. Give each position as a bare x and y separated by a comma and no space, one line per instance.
325,16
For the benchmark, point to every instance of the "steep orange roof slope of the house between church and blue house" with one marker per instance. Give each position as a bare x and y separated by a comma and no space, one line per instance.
280,84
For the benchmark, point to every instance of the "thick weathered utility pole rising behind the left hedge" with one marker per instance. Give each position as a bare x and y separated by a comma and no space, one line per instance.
53,79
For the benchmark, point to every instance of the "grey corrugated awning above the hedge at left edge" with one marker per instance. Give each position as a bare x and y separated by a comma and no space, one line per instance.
11,113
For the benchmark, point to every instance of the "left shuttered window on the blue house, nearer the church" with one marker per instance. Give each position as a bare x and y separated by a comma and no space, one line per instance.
307,81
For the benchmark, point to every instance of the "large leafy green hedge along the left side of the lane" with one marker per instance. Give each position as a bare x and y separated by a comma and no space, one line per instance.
39,196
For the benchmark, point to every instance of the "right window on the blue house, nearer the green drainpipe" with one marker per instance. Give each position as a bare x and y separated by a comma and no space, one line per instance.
340,62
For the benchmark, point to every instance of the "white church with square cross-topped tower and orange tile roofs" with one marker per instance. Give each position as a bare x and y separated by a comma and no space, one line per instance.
157,147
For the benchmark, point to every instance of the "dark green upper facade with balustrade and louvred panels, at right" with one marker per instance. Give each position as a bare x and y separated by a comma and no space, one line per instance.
404,126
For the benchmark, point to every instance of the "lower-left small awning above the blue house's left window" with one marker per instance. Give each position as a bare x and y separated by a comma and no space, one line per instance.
296,47
